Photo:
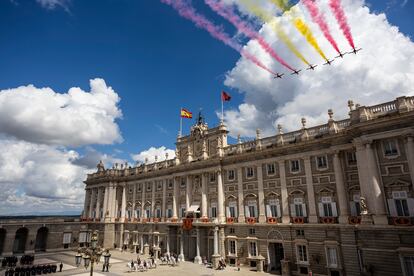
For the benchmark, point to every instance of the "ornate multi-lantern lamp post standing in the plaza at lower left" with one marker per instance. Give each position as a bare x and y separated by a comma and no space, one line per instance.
90,255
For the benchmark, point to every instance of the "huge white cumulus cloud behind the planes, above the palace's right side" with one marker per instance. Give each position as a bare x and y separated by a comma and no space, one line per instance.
382,71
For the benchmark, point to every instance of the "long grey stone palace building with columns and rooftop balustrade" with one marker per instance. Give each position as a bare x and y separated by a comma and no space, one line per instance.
334,199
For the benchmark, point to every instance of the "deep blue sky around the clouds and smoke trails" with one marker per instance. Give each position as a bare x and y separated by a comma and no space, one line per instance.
155,61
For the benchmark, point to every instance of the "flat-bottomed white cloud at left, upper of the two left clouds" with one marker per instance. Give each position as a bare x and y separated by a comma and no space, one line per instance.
40,115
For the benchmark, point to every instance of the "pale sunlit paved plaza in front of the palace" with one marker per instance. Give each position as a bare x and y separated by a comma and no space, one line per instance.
119,266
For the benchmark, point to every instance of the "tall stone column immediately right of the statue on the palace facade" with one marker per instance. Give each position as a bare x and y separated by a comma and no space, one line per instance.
374,181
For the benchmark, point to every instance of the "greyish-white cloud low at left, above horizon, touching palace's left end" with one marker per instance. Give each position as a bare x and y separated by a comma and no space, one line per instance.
38,178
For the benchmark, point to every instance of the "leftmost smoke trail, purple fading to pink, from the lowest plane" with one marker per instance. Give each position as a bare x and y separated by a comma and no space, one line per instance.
188,12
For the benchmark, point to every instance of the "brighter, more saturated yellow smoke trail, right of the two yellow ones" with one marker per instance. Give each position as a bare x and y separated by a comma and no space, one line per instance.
299,24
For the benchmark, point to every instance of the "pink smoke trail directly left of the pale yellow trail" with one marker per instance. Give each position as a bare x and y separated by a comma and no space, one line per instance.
247,30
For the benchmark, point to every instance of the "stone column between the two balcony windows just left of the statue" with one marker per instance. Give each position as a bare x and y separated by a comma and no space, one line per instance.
340,189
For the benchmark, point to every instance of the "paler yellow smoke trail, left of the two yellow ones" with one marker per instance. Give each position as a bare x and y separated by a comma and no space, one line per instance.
268,18
